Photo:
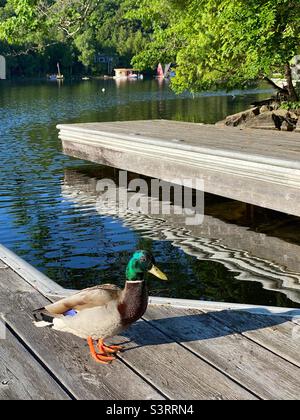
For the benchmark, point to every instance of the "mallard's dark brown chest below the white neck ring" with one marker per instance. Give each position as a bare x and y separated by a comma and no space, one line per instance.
134,302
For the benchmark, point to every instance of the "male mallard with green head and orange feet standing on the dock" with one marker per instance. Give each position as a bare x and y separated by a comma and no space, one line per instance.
103,311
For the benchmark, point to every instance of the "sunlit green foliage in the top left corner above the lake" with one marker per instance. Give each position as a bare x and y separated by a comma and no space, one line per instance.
91,26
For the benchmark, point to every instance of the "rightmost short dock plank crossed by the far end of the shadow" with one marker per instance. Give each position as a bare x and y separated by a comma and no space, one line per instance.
278,335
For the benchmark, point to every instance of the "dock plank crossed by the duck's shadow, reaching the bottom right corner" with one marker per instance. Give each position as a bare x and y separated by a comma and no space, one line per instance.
259,370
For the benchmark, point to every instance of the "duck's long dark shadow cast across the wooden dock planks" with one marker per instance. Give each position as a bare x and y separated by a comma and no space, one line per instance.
199,327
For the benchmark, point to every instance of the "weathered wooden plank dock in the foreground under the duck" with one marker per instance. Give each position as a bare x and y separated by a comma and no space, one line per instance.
179,350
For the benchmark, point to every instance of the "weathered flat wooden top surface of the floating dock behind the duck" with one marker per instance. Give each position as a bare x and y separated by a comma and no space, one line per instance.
283,144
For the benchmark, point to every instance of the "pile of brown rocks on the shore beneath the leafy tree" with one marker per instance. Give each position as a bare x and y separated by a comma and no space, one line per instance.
267,117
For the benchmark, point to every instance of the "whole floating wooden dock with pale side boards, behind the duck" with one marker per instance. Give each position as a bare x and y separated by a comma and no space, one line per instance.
258,167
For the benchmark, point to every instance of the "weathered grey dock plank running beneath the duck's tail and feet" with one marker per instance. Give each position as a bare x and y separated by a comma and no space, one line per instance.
64,355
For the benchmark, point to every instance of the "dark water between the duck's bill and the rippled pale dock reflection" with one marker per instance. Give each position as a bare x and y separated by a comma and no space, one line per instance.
208,280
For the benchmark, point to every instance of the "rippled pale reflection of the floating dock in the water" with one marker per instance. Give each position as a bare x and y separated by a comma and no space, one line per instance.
252,256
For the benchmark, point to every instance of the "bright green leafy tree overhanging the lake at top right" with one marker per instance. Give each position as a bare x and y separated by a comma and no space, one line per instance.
220,42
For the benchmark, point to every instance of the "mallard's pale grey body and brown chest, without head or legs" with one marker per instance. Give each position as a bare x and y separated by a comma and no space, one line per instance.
102,311
